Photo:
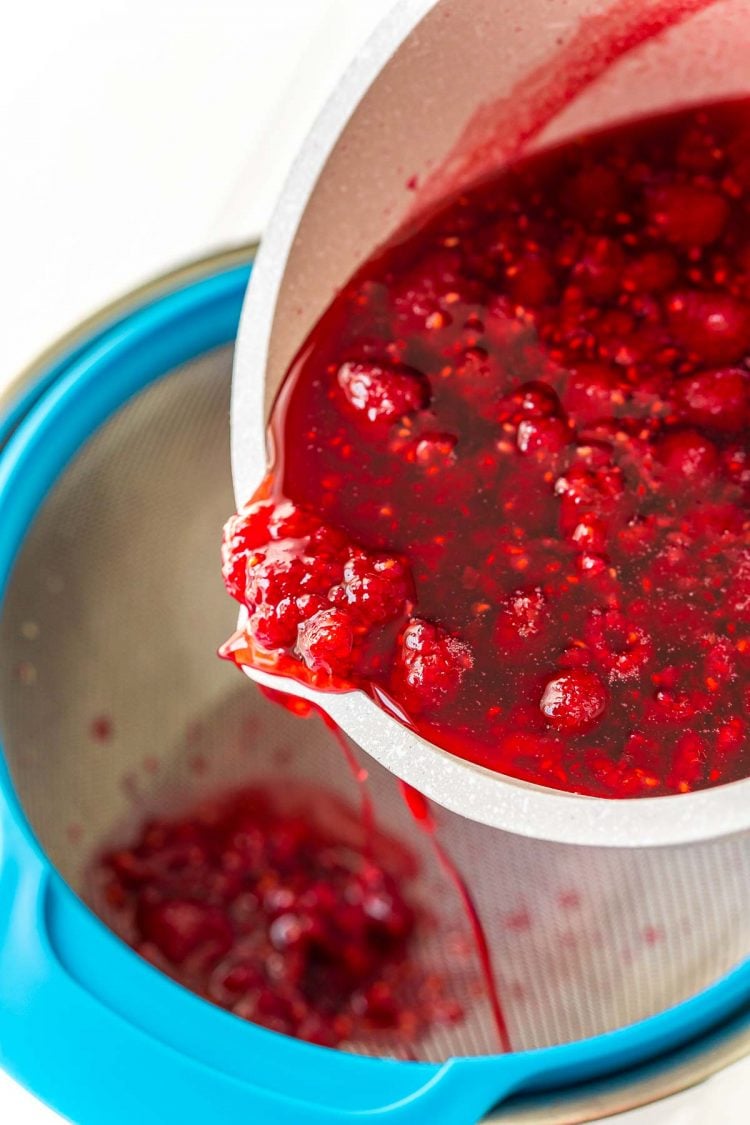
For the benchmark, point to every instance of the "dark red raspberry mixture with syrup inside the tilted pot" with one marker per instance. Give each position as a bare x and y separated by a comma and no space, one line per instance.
513,499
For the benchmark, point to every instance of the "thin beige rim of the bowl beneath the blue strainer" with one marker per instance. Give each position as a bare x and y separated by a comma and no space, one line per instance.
686,1068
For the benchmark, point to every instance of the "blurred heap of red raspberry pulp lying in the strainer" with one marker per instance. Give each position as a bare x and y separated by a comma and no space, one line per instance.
278,911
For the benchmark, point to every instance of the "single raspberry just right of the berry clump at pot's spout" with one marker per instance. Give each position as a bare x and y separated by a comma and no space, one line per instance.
430,664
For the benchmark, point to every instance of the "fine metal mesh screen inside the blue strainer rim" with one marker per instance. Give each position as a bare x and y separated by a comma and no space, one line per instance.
114,616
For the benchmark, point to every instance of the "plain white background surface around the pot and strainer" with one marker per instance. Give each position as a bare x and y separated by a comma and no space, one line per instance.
135,134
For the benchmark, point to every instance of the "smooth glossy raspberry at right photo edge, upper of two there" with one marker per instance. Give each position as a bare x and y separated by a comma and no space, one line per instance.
713,327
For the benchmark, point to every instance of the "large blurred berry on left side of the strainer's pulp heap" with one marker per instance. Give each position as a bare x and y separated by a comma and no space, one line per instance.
178,928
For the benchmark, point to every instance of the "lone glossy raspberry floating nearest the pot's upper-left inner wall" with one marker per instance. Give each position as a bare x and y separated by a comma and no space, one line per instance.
381,393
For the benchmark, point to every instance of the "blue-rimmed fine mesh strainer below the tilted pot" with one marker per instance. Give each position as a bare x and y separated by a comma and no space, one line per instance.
113,609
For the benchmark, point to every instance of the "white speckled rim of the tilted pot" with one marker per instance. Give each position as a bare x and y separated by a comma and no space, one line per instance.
462,787
